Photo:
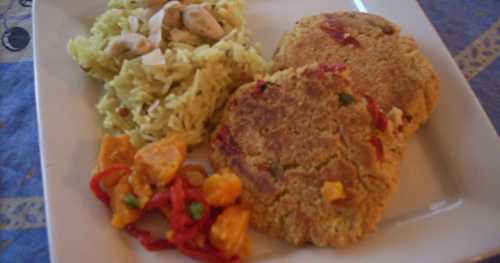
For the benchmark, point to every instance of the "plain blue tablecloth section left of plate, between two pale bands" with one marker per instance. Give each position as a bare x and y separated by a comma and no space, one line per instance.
19,154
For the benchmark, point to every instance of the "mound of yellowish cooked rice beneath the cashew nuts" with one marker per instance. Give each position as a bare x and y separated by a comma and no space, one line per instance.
148,102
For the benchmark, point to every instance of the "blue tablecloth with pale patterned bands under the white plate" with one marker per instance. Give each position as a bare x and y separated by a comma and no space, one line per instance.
469,28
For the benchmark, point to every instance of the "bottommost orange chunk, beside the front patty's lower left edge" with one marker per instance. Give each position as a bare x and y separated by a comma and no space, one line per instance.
229,231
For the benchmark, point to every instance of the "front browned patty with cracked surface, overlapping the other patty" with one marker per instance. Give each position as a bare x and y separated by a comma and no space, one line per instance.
292,135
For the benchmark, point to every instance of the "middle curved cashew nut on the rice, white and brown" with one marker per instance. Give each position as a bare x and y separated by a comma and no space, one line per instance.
168,17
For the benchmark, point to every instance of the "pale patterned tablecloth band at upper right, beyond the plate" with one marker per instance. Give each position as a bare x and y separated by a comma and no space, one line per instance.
480,53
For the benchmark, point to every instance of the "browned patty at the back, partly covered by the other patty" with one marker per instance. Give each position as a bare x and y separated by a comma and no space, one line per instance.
386,66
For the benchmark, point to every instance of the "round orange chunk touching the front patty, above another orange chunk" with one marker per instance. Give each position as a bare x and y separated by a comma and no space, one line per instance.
222,189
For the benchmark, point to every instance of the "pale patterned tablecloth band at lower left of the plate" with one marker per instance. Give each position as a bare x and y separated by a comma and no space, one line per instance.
21,213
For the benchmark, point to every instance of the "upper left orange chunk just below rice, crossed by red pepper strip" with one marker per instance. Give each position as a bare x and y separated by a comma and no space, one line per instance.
115,150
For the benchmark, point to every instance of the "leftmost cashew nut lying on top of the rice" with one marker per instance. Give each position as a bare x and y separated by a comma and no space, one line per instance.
131,44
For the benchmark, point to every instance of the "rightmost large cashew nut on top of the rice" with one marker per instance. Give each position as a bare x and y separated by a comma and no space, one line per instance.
200,21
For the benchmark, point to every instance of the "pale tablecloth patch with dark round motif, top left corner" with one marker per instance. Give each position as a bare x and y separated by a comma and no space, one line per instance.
15,30
